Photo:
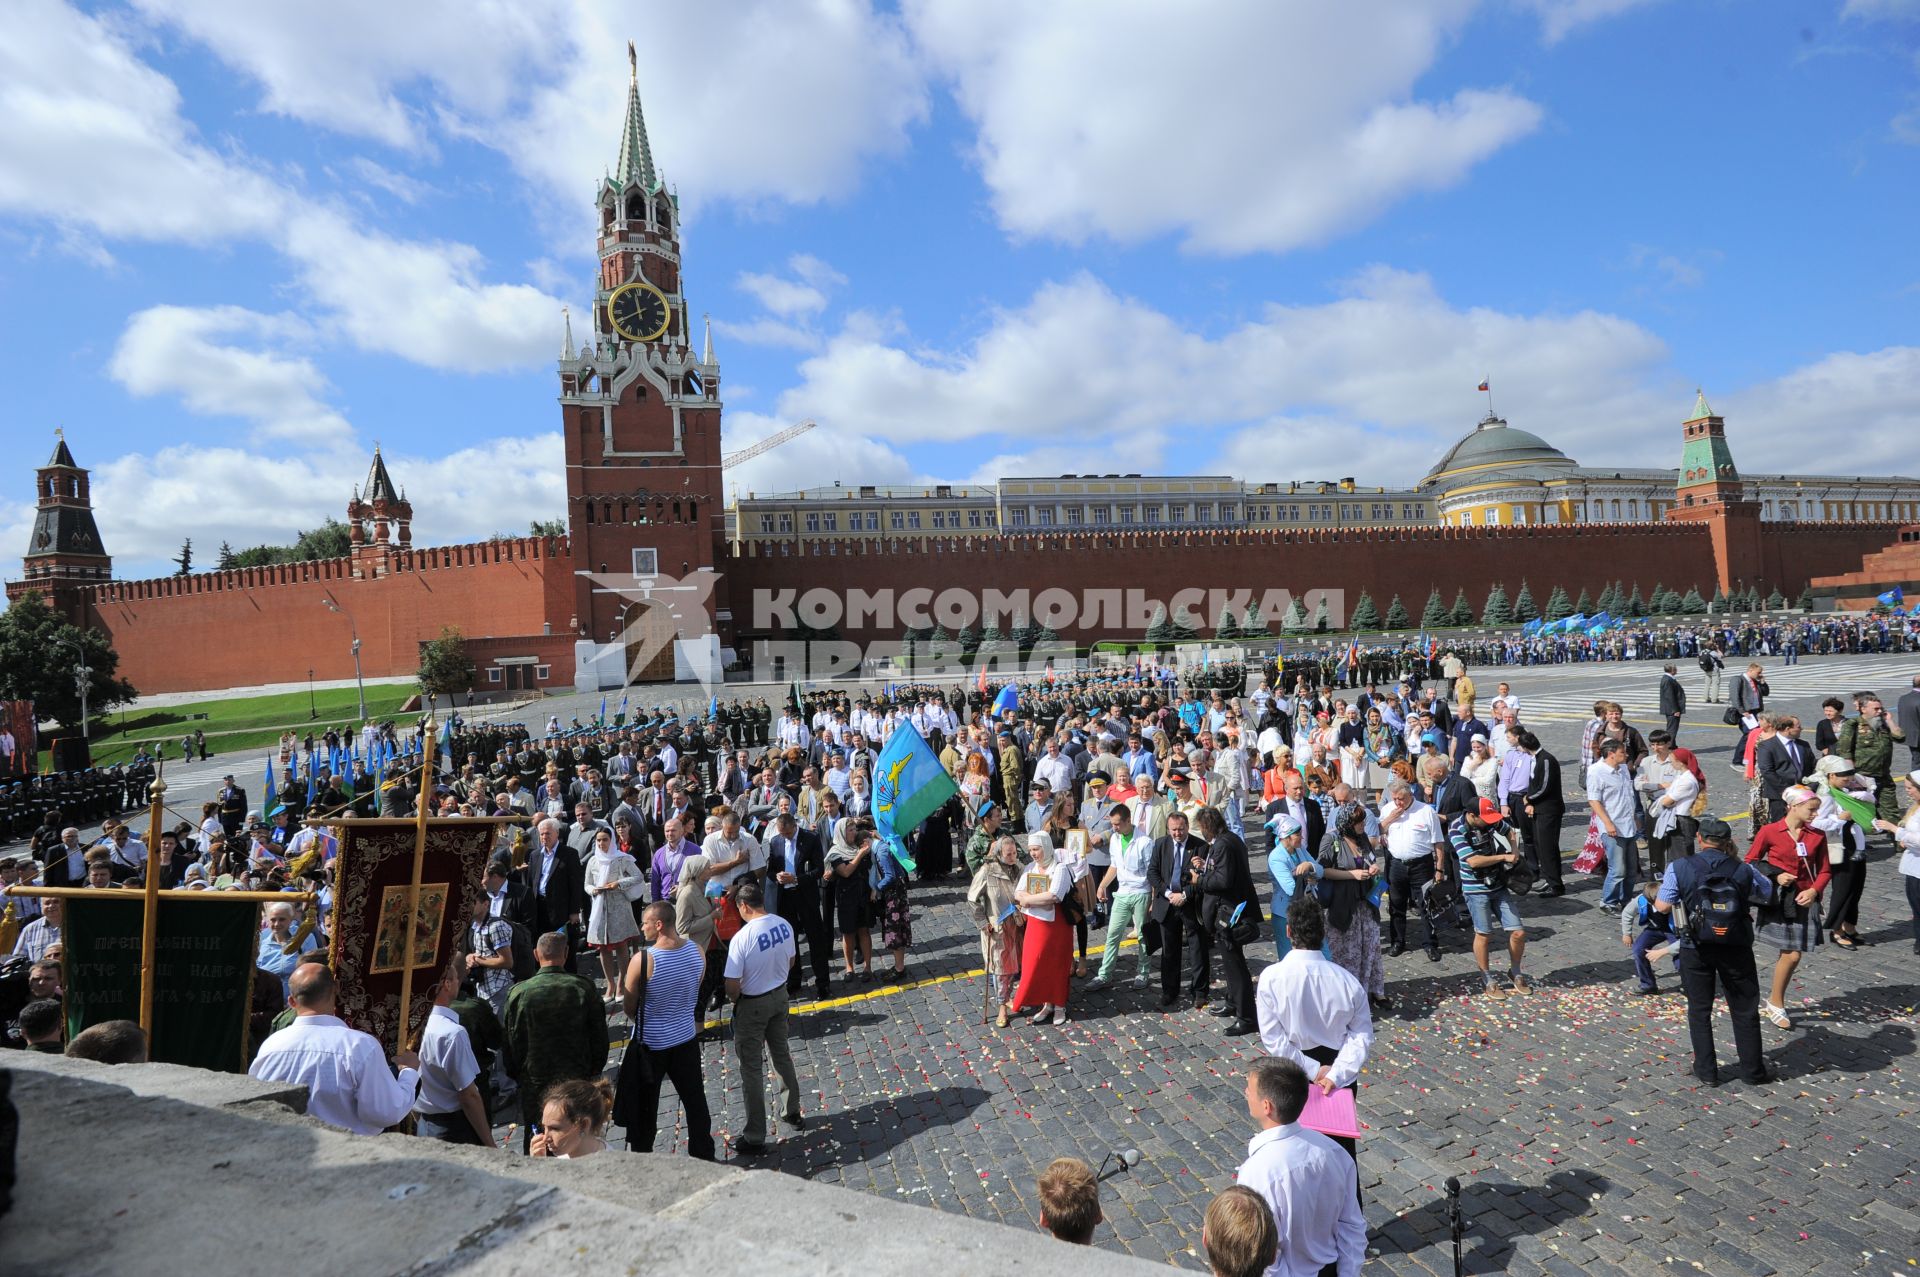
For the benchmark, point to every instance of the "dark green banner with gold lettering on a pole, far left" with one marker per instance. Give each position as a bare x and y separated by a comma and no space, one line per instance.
203,973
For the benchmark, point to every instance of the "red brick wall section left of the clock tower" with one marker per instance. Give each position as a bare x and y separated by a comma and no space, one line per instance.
272,625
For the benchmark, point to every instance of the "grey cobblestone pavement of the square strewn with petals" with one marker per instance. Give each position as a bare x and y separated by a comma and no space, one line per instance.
1581,1140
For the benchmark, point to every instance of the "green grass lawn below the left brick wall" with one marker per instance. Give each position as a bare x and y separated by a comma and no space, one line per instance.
239,727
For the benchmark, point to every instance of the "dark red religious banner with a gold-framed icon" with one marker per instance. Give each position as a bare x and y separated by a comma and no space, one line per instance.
373,940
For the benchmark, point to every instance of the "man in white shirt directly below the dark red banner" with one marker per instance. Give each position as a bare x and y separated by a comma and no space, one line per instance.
345,1071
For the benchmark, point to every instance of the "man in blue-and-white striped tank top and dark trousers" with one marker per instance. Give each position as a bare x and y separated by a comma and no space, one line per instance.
667,978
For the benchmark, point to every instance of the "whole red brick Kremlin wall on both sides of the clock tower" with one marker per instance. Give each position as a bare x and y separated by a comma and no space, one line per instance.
270,625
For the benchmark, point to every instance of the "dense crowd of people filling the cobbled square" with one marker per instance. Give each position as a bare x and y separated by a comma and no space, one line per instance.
669,869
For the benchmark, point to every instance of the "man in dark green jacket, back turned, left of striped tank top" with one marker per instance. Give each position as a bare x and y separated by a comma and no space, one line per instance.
556,1030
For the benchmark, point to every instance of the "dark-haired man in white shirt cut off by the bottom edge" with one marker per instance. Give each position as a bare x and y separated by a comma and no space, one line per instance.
1308,1184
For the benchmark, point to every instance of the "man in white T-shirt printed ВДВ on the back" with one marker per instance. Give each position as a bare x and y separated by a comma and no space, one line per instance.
757,963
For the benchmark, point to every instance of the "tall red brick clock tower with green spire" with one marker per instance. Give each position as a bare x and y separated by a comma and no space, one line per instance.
640,412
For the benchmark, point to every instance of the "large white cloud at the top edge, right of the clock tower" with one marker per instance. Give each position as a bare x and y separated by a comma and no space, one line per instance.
1239,124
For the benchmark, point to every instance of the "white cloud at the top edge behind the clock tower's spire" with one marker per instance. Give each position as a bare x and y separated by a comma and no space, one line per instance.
769,101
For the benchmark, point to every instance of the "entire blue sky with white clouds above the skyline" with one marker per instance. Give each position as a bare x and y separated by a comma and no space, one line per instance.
967,237
